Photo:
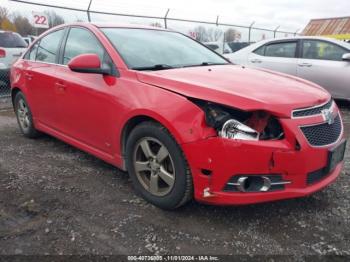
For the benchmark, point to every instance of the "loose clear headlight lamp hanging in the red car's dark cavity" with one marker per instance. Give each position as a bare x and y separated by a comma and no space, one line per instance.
233,129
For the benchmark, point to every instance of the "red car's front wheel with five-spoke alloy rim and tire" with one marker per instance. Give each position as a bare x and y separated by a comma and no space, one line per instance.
163,162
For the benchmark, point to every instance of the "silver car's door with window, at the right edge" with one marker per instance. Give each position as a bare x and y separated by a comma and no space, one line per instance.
321,62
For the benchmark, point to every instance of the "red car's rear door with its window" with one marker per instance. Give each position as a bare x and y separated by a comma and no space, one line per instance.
40,78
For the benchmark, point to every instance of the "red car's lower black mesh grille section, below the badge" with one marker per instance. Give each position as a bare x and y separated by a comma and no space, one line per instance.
323,134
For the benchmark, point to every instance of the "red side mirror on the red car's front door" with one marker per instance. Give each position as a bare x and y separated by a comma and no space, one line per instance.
88,63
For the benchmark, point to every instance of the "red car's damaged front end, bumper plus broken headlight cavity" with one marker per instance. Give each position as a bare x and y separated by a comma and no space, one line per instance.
254,156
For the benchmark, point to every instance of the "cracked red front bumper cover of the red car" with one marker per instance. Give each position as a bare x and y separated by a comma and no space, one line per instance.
214,161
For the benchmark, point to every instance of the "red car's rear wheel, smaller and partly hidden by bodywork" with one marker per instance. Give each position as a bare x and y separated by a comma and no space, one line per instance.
24,116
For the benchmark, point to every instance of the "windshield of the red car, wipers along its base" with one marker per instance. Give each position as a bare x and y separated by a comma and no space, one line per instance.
155,49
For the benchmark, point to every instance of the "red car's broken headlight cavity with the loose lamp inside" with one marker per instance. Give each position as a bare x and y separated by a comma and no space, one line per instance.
232,123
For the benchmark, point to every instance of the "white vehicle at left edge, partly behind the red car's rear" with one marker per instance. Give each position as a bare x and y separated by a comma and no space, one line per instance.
11,48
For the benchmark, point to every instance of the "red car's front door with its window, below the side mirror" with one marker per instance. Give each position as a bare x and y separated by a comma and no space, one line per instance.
86,101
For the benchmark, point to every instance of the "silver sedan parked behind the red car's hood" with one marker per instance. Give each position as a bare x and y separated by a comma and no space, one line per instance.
321,60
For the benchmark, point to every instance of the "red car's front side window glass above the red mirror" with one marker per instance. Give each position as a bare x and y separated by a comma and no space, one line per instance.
81,41
